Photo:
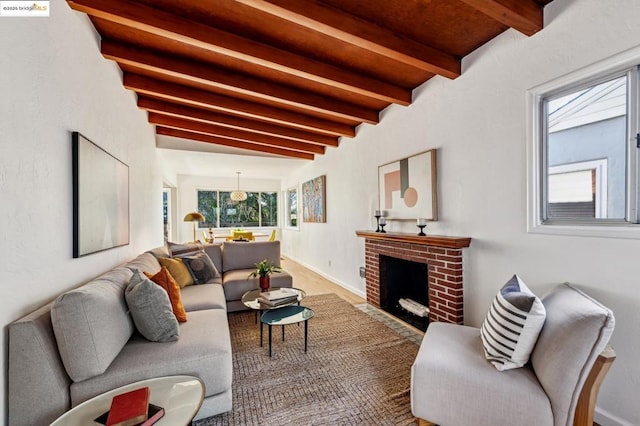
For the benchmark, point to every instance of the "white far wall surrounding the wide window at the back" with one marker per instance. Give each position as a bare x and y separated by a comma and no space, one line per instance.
188,185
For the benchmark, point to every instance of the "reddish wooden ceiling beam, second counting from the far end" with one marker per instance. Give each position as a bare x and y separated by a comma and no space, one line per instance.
235,134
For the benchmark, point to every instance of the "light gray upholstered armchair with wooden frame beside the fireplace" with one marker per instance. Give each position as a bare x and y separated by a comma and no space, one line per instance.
452,384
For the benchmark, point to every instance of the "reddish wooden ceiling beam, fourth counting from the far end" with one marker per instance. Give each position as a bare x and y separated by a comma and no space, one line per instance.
201,98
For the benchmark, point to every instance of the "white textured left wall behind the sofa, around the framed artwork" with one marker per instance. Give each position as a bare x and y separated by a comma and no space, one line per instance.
54,81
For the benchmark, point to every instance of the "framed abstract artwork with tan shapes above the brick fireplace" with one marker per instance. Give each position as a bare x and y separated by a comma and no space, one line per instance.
407,187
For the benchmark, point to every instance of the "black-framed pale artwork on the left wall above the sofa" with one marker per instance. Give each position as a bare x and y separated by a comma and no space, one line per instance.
100,198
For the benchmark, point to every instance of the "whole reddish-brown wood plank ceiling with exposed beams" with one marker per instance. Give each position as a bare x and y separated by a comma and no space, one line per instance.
290,77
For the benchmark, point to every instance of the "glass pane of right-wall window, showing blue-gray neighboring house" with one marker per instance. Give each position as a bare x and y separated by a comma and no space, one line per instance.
586,152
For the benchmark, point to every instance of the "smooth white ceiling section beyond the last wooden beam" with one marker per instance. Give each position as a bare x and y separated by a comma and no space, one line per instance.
219,161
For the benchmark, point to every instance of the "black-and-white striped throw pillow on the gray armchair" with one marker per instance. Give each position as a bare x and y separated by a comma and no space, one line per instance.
512,326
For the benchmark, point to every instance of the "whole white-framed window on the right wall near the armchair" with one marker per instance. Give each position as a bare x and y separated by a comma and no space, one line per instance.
585,153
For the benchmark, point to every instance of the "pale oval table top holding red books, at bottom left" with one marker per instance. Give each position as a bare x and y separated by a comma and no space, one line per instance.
180,396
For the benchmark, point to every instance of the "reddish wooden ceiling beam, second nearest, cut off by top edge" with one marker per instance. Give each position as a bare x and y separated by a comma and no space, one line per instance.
313,15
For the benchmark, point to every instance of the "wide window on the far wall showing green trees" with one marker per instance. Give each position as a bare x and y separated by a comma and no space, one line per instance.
259,209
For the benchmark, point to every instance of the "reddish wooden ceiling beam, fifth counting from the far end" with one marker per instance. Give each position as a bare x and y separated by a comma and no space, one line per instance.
210,76
